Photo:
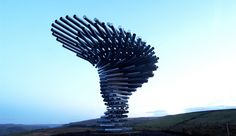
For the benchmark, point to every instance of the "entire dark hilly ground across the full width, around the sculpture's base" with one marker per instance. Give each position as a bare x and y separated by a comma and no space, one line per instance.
203,123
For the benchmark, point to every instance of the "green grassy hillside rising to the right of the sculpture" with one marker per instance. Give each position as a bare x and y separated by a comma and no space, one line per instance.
213,123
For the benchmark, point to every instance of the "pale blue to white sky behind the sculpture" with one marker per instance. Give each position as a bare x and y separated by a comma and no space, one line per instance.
41,82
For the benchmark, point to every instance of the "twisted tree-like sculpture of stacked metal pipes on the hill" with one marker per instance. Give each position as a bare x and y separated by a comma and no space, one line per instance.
124,62
